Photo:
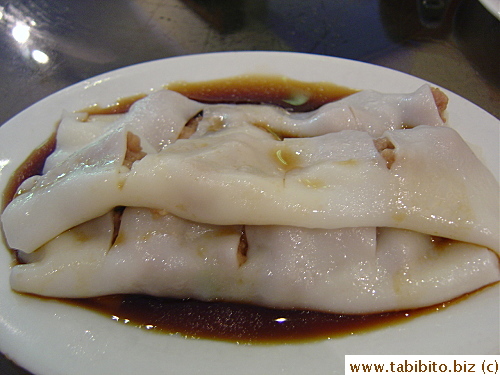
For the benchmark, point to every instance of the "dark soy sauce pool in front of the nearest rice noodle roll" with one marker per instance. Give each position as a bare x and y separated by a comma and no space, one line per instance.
240,323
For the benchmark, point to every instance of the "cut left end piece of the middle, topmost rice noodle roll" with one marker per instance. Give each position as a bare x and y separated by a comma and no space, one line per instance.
88,177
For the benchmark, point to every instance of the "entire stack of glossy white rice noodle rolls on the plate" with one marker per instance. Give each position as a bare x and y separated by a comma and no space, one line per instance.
368,207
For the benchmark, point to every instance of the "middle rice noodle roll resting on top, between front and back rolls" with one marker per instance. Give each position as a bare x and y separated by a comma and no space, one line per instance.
243,175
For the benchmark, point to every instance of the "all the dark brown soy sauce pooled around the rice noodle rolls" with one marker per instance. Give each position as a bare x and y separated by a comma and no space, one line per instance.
219,320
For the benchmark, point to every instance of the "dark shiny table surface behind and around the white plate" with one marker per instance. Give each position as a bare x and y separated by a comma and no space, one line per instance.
46,45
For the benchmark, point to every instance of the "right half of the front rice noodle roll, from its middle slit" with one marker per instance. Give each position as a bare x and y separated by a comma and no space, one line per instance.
354,270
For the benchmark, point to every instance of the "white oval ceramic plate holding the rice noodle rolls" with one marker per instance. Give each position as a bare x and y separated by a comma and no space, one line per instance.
48,337
